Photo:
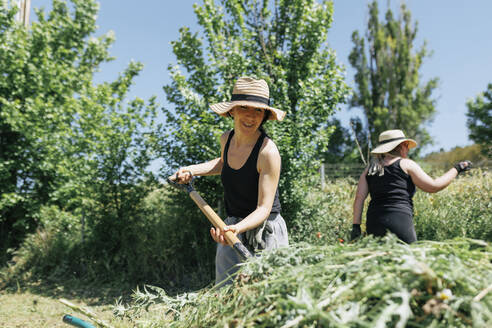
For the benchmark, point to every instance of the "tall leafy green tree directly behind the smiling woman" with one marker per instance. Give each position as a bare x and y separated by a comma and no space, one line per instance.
283,42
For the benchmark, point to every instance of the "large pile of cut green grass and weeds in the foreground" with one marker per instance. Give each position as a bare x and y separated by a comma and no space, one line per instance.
370,283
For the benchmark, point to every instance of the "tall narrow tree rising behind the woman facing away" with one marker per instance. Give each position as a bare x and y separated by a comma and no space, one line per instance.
388,87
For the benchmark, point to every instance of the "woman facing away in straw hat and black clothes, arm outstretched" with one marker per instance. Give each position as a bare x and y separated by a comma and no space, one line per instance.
390,179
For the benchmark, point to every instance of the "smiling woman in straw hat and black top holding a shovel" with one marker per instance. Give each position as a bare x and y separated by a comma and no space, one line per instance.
249,166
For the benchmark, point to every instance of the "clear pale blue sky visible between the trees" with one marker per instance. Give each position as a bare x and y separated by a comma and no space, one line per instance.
458,32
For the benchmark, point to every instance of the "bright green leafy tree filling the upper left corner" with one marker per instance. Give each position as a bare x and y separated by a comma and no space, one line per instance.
64,141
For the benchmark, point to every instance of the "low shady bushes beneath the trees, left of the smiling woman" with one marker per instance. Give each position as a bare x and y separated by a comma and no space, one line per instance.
167,243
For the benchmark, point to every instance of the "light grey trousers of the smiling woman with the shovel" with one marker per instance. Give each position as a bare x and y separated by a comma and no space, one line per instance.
270,235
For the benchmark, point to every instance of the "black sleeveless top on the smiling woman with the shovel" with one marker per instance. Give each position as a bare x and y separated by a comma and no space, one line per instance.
241,186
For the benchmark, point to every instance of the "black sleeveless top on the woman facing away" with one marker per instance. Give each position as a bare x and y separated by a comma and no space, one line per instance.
391,192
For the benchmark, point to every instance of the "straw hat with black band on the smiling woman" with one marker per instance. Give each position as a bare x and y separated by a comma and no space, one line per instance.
249,92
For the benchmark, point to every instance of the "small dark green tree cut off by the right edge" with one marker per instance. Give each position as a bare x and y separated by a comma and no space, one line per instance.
479,120
